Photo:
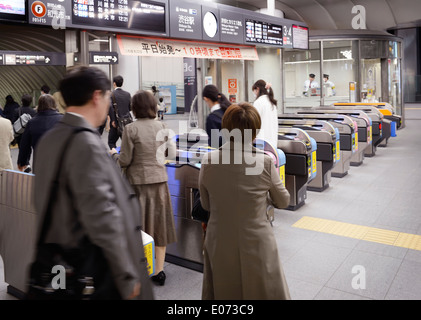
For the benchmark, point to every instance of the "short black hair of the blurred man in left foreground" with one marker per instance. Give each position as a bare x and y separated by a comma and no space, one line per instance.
79,84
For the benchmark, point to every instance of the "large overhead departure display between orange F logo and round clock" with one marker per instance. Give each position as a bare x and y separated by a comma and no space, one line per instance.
122,14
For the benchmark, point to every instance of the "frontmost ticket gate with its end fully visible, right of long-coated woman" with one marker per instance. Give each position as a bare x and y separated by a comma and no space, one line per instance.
301,163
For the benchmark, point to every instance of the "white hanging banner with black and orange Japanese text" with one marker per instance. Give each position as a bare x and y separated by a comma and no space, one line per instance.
155,47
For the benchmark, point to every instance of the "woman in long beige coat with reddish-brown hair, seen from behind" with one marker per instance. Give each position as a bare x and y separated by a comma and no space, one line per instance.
241,258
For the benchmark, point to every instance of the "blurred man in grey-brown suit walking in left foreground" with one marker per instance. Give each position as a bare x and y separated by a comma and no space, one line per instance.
93,200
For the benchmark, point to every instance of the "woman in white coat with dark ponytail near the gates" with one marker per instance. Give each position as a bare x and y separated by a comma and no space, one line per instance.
266,105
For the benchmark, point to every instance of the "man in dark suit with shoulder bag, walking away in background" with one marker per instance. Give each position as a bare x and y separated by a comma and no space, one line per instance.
122,100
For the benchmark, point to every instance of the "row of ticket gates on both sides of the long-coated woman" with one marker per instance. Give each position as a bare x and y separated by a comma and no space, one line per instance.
313,146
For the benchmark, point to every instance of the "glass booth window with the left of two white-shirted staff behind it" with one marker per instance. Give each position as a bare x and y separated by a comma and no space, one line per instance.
301,88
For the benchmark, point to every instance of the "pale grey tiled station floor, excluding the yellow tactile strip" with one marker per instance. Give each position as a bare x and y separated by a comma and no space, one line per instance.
382,193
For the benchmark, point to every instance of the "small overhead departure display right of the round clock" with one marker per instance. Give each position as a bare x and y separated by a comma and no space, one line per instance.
263,33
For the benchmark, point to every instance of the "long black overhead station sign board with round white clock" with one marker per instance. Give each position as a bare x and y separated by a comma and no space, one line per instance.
176,19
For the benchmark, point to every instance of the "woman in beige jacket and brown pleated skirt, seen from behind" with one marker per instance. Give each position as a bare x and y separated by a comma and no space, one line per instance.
144,146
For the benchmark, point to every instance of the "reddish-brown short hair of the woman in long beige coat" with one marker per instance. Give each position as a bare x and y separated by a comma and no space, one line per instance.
242,116
